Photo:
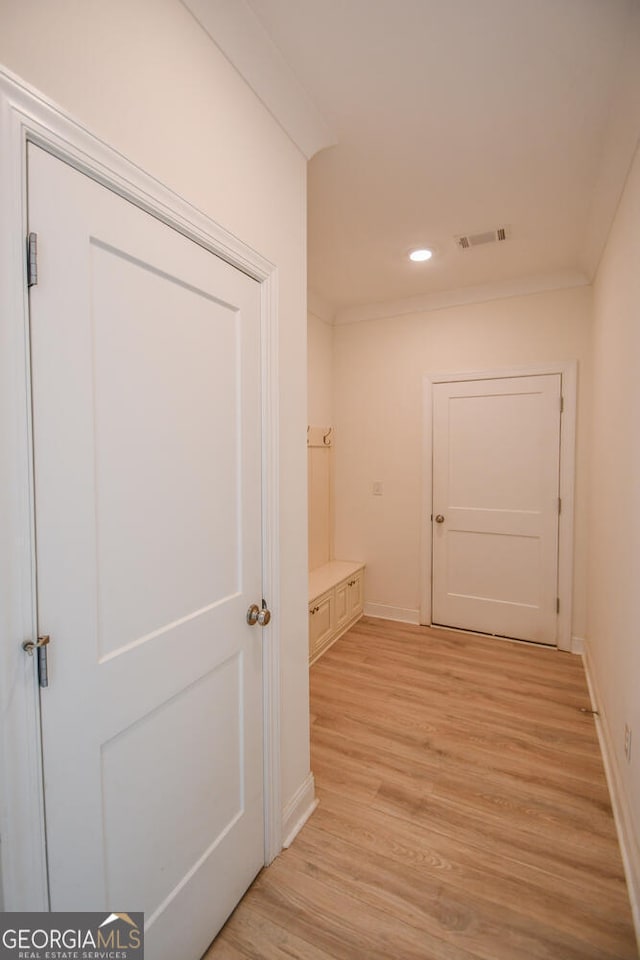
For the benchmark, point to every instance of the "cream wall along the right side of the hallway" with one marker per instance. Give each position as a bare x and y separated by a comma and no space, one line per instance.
613,635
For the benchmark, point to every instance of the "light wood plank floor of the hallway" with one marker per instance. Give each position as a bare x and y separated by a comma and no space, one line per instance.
463,812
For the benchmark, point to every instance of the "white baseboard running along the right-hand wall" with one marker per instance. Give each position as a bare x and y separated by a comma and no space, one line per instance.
629,843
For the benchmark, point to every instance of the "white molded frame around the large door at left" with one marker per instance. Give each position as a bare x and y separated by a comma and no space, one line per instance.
26,115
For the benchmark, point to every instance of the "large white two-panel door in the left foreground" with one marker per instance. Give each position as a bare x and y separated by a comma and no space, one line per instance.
147,454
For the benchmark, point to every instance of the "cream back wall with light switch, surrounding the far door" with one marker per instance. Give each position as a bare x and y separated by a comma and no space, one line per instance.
379,367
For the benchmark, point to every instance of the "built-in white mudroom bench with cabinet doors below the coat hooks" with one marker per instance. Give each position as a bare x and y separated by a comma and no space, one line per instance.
336,601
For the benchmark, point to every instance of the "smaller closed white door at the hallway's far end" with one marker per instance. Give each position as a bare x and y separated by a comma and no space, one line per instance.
496,456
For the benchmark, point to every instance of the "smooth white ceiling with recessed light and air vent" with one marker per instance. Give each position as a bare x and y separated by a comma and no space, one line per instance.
454,117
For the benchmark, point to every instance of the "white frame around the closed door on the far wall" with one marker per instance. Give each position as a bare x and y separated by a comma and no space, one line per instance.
568,370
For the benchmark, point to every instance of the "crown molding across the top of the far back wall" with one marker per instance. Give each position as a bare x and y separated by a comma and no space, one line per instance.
462,296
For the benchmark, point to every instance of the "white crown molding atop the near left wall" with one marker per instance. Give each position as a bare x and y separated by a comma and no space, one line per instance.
236,30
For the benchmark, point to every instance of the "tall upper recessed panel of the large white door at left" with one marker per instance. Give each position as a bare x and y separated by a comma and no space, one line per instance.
161,418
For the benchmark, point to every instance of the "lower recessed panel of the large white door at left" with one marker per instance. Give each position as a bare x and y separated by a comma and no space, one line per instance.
198,817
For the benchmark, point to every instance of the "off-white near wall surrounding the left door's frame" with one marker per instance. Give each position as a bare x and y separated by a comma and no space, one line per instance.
143,76
